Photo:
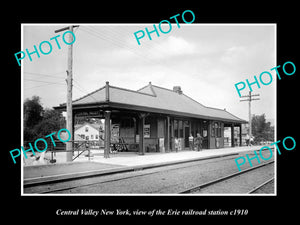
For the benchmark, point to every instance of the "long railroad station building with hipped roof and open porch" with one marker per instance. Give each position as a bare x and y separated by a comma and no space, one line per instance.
149,119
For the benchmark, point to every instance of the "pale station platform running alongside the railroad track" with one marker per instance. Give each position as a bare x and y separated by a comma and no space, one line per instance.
119,162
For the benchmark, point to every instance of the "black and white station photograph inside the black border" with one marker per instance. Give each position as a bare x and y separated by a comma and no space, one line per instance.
153,115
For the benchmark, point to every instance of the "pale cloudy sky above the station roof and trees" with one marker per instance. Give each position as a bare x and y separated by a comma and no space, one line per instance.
206,60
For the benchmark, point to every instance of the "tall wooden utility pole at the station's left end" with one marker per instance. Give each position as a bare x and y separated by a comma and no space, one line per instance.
69,145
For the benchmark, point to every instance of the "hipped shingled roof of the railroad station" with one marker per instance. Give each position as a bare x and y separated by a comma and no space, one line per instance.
152,98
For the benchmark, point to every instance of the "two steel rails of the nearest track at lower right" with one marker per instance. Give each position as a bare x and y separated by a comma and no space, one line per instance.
197,188
